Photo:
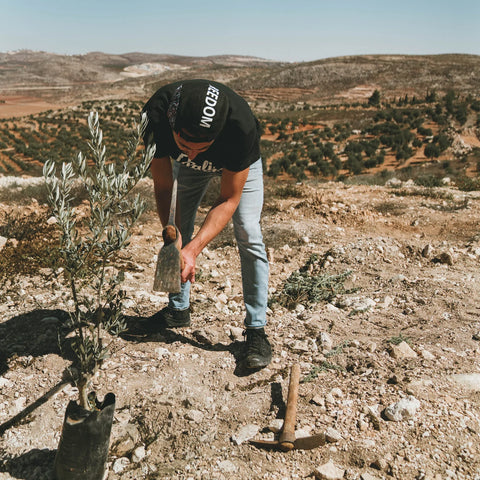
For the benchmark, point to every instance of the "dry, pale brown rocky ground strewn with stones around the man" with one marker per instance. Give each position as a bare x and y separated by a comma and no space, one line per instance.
389,369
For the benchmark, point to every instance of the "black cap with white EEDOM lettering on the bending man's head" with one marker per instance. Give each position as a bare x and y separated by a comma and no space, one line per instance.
198,110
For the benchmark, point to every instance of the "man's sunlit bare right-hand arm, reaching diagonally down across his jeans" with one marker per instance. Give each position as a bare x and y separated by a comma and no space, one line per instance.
231,188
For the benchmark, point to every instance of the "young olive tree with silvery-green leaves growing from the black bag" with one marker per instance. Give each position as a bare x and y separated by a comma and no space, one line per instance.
90,248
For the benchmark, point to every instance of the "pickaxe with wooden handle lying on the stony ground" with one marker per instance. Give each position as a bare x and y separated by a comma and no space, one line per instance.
287,441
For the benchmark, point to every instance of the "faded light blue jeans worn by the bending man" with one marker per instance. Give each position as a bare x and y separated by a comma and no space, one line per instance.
192,185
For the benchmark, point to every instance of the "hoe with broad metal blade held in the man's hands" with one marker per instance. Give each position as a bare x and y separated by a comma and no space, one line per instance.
170,260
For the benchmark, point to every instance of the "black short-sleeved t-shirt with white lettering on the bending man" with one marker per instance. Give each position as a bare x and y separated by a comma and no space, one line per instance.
235,148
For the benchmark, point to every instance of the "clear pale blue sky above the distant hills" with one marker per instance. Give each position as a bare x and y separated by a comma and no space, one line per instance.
293,31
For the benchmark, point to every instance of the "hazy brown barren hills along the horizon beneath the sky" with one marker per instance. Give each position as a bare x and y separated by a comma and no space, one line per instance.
96,75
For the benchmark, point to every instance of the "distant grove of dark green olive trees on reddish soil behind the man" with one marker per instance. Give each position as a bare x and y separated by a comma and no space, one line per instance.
300,141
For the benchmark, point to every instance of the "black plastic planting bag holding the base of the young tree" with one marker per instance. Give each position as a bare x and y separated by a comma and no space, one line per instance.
83,449
